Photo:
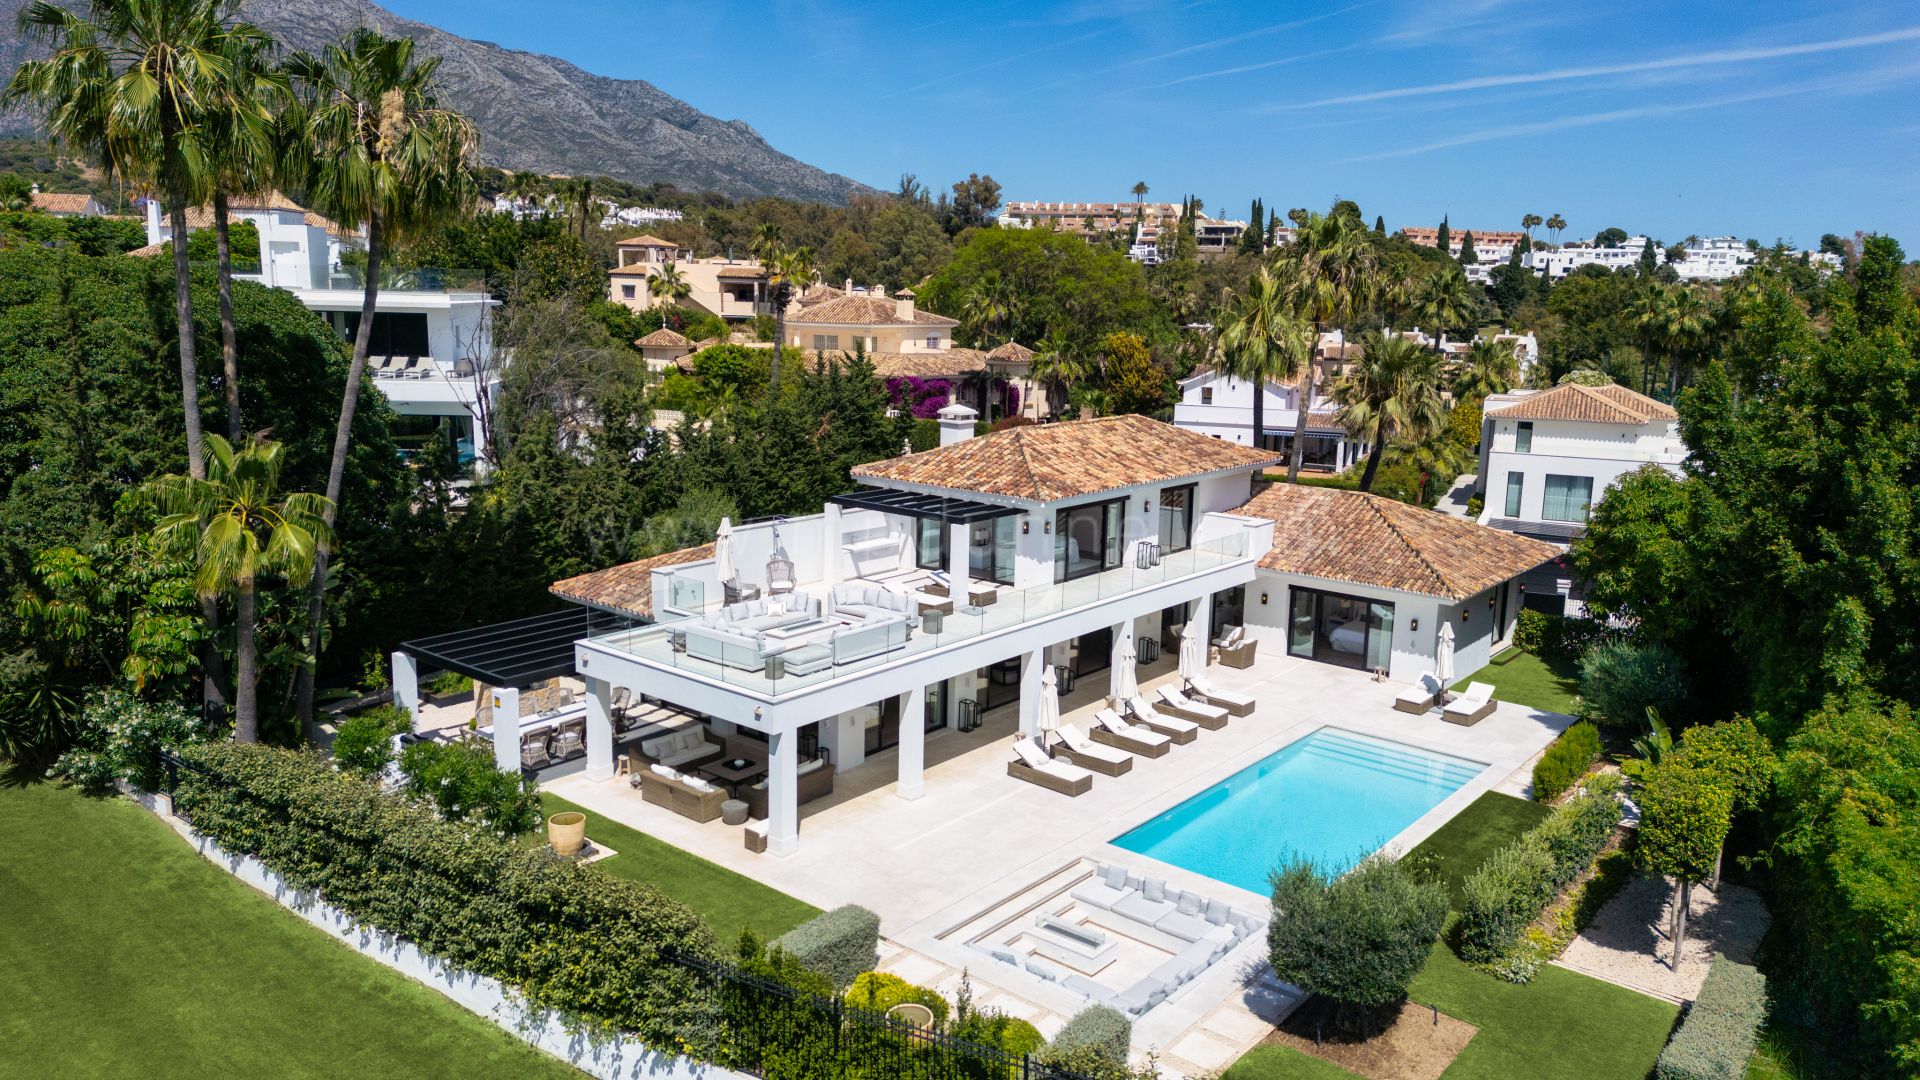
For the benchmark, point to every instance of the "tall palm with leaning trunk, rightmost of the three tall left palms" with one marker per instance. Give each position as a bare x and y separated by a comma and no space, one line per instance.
383,153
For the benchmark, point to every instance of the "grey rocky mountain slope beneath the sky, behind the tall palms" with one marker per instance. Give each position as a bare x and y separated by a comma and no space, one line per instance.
539,112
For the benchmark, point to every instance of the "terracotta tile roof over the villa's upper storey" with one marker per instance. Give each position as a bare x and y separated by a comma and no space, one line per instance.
1068,460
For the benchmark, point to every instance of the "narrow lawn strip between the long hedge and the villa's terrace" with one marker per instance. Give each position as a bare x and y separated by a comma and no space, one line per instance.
727,900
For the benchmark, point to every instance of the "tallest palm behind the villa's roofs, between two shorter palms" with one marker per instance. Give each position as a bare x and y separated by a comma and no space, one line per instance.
1332,274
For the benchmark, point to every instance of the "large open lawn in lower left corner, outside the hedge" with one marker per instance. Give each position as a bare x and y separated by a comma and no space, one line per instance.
126,954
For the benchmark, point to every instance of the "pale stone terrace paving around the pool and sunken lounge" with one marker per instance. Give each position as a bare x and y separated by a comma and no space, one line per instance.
978,837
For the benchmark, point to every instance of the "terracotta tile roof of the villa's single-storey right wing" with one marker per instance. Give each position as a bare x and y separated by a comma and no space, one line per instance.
1366,539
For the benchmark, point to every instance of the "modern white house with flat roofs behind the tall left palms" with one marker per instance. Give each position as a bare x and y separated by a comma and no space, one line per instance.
431,349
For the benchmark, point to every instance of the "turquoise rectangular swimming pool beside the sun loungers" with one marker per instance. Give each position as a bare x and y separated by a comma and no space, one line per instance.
1333,797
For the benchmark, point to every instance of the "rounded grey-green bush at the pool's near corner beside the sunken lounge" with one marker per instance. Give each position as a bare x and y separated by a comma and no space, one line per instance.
1356,939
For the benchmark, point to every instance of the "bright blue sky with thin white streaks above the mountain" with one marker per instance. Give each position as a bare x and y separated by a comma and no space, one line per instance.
1760,120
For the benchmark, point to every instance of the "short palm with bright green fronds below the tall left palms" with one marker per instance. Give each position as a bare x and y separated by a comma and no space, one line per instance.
241,528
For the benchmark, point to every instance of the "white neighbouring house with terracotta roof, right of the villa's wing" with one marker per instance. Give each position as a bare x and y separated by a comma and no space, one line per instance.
1547,456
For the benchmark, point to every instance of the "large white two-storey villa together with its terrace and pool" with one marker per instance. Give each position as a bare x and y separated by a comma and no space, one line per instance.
1022,693
